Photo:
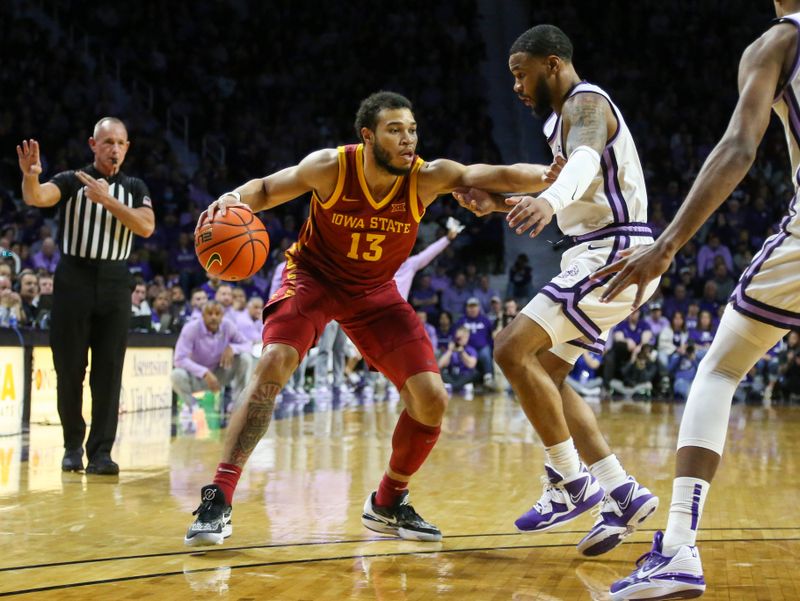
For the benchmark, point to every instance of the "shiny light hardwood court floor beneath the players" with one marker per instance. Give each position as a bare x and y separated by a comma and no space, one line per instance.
297,533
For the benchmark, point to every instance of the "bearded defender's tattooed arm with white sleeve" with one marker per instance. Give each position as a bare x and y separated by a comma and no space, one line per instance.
588,123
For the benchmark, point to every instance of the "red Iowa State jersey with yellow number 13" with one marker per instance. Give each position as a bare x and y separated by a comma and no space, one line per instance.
353,240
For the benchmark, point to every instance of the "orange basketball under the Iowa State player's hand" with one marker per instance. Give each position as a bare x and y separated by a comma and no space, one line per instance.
233,246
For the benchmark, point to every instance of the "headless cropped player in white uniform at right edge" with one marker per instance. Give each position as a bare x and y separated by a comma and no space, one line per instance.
763,307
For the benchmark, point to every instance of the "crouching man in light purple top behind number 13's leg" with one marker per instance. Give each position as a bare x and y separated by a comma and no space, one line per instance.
210,353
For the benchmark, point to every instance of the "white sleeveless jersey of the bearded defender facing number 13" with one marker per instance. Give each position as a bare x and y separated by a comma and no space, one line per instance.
617,193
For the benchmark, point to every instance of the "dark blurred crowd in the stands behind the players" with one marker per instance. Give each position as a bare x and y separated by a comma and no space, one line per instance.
260,98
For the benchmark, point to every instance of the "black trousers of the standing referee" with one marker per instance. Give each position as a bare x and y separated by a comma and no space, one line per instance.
91,309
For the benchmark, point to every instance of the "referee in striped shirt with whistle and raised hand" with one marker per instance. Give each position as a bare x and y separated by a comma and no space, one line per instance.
100,209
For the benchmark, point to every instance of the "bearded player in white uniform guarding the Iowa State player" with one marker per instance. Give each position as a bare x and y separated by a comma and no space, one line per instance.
600,202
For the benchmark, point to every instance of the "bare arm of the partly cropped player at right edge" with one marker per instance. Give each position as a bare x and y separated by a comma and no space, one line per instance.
760,73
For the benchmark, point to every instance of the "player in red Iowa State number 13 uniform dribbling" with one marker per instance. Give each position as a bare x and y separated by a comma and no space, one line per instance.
367,202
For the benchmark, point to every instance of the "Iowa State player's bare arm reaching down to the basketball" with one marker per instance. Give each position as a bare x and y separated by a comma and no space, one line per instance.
316,172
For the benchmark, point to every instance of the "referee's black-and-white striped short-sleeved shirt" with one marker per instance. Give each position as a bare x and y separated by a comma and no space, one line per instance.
88,230
